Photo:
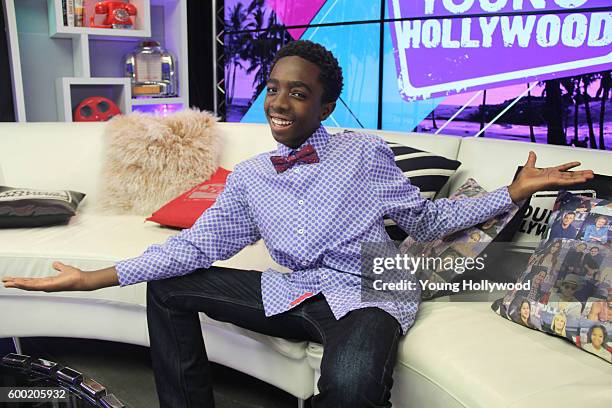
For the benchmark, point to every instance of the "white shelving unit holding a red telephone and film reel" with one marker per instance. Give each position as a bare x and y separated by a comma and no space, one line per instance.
55,66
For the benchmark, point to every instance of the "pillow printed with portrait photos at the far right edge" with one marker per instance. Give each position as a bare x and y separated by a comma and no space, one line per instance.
567,285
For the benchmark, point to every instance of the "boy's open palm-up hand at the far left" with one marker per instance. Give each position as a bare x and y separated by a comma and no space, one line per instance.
68,278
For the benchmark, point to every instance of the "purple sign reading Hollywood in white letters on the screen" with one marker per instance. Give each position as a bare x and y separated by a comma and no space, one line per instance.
443,47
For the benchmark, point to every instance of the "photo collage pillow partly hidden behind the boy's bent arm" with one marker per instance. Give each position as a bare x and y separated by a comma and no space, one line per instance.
469,242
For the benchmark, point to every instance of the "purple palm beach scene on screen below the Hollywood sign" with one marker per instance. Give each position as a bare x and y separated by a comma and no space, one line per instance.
508,113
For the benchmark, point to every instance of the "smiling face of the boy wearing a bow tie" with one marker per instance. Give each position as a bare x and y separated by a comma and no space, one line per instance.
293,103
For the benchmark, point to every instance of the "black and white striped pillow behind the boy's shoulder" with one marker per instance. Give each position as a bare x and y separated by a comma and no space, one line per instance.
427,171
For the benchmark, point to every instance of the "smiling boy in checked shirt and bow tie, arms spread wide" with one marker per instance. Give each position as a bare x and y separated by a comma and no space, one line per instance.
313,201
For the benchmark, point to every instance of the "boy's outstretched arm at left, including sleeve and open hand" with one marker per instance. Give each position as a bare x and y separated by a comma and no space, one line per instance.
222,231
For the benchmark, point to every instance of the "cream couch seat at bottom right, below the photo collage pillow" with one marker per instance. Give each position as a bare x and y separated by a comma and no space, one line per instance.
480,360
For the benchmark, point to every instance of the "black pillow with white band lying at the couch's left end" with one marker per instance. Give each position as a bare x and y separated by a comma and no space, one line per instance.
26,207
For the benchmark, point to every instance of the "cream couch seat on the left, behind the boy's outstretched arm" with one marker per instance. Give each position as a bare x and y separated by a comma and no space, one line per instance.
93,241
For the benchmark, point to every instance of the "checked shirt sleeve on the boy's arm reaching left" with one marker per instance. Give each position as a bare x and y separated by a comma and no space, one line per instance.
220,232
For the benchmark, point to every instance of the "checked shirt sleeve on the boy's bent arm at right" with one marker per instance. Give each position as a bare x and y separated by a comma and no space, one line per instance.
427,220
